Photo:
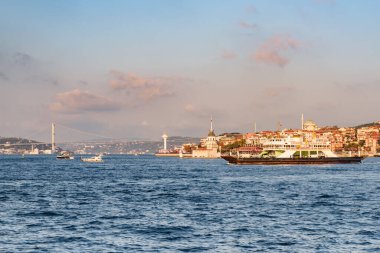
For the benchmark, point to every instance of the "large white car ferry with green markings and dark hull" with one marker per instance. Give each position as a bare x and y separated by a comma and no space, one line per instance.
290,150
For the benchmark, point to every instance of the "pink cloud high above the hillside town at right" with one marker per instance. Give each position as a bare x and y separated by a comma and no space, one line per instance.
272,51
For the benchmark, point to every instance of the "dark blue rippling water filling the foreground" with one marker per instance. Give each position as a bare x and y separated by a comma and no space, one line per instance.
149,204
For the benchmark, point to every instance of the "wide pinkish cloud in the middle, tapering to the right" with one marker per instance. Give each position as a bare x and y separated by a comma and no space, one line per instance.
145,88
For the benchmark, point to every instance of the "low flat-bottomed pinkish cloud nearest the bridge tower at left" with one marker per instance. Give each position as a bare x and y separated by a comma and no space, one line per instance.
75,101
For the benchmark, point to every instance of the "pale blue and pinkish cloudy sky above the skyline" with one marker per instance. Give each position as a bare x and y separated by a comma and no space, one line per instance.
136,69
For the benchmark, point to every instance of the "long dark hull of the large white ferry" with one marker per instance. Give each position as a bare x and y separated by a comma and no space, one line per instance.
292,161
